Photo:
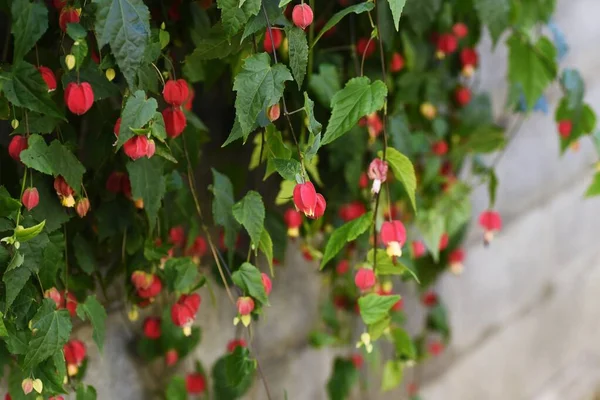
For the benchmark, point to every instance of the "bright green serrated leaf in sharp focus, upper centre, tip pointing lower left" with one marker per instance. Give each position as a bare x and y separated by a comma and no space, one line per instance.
359,97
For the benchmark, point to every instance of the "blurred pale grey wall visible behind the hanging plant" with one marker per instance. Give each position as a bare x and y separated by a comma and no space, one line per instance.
525,313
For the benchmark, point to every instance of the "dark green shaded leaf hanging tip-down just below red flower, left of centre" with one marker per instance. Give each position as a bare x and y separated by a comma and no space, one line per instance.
148,184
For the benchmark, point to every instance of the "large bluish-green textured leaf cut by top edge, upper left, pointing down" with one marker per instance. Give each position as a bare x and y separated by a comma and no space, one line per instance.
124,24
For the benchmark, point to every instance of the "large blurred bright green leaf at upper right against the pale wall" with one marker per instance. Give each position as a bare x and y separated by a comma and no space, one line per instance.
532,67
